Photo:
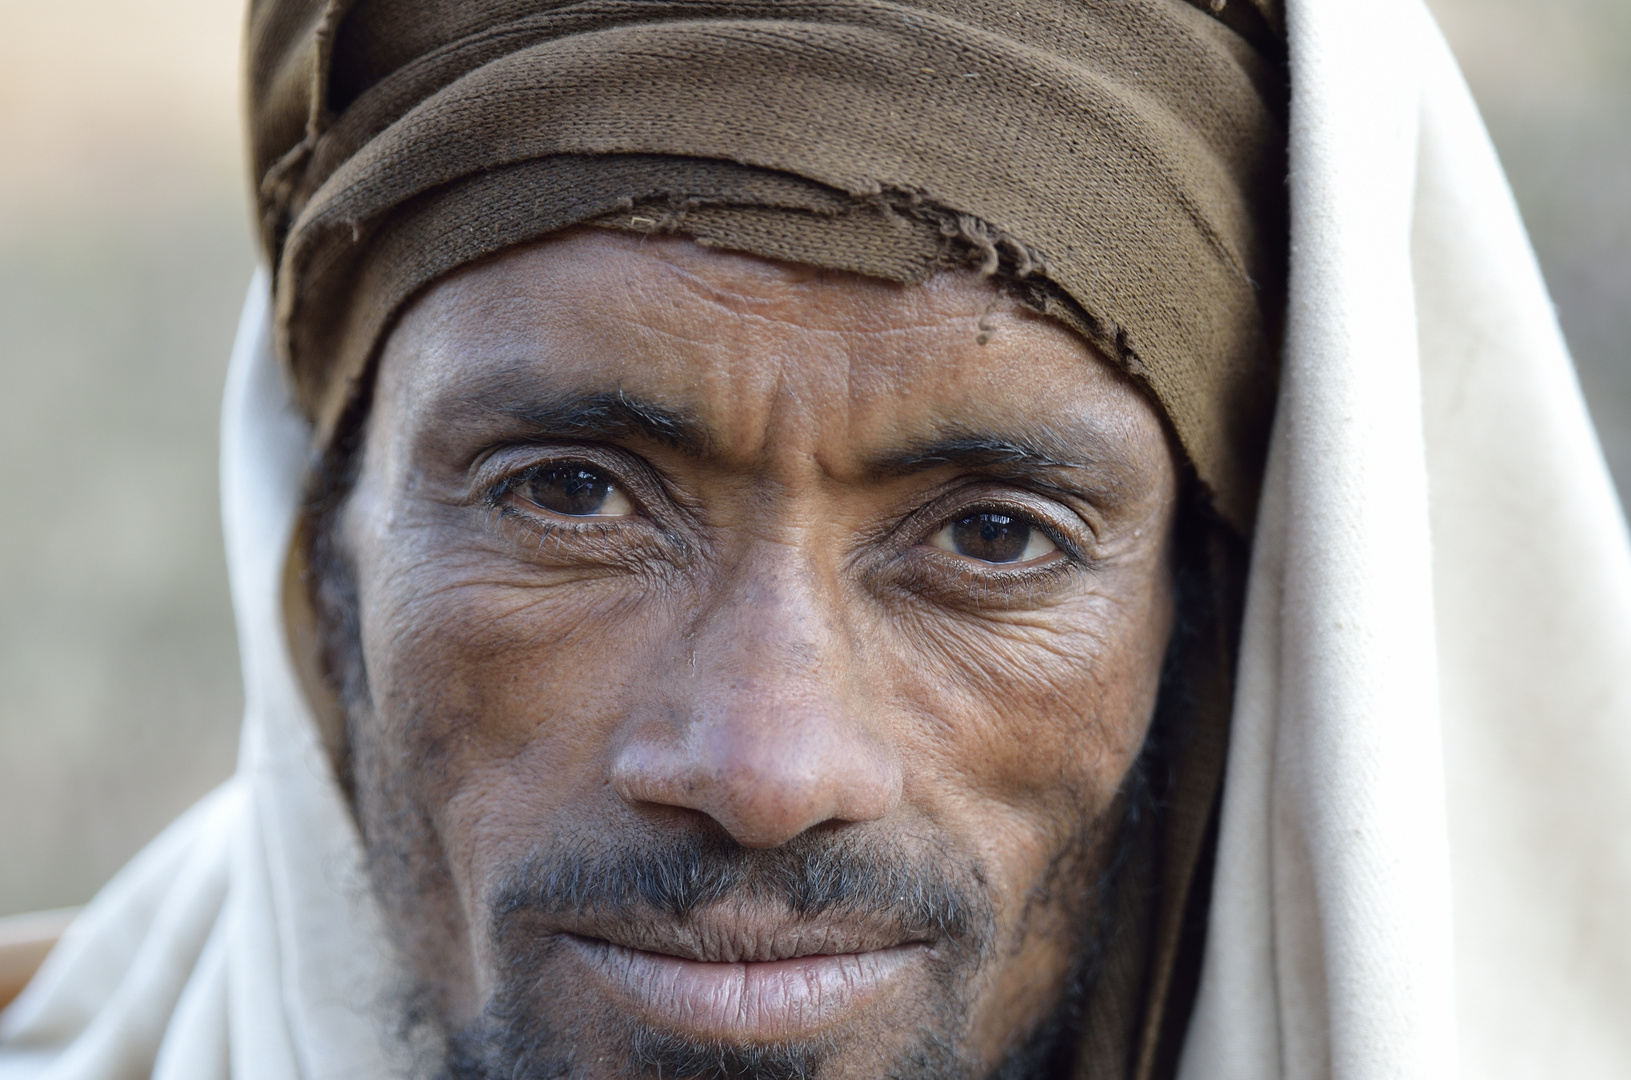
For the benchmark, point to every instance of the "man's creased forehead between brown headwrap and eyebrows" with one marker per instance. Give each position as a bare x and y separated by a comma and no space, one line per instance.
756,356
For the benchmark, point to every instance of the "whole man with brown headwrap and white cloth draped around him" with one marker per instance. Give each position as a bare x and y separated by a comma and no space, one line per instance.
741,565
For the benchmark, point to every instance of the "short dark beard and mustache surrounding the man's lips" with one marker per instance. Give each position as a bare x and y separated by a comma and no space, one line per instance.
924,895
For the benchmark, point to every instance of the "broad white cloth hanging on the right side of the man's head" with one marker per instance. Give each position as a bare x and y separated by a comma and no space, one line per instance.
1425,864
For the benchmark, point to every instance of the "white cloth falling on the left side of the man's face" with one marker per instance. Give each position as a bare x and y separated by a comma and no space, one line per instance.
244,942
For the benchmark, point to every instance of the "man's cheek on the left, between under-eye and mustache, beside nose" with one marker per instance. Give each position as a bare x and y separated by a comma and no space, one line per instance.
503,699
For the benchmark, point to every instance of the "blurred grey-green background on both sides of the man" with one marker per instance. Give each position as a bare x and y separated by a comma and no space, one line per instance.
125,254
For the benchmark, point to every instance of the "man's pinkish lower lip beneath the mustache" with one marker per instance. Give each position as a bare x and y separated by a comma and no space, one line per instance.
754,999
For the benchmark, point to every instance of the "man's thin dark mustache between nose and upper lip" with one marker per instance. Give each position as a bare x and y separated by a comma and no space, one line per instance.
921,892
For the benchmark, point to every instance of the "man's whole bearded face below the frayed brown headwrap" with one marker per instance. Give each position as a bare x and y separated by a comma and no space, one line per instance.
753,658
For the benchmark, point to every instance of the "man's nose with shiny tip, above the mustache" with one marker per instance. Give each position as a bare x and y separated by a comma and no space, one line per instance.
762,722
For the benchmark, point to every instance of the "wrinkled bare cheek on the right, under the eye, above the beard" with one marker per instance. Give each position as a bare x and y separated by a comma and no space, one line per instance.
1020,730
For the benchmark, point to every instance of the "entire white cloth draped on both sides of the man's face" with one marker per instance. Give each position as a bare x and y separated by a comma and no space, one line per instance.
1425,865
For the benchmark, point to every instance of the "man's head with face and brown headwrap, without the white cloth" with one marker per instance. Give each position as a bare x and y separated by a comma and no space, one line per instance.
807,547
